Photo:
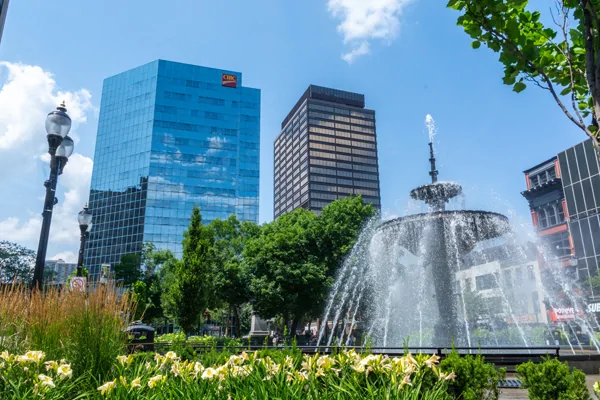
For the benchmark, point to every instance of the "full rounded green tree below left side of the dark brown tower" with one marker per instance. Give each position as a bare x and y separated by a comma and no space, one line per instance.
289,278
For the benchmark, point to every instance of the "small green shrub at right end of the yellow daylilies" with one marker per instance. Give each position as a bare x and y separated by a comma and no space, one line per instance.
476,379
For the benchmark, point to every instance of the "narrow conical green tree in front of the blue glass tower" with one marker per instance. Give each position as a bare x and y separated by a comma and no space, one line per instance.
189,294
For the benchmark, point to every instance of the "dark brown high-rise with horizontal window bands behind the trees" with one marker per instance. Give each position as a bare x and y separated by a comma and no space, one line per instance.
327,149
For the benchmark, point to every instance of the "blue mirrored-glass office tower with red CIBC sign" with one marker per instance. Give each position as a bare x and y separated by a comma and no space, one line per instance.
171,136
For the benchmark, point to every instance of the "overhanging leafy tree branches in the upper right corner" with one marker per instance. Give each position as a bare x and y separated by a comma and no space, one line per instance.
564,61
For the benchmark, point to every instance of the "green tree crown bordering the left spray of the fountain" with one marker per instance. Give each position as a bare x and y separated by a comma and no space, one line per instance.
339,226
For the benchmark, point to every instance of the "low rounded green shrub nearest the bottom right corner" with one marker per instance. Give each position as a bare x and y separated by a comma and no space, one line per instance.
553,380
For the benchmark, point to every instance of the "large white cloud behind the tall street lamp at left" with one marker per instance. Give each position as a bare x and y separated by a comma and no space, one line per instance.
28,94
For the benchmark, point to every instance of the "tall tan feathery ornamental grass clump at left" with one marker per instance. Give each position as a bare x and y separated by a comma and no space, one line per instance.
84,328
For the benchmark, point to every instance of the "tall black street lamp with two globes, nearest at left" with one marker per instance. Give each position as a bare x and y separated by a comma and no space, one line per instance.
60,147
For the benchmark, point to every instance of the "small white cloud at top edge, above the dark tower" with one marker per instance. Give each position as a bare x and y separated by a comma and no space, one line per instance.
365,20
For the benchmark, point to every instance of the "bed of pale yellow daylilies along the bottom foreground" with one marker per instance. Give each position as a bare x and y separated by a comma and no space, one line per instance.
256,375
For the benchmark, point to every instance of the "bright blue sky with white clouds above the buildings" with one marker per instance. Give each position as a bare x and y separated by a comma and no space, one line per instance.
407,57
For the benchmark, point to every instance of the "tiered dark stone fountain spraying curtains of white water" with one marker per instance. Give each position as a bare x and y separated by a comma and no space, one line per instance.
404,280
